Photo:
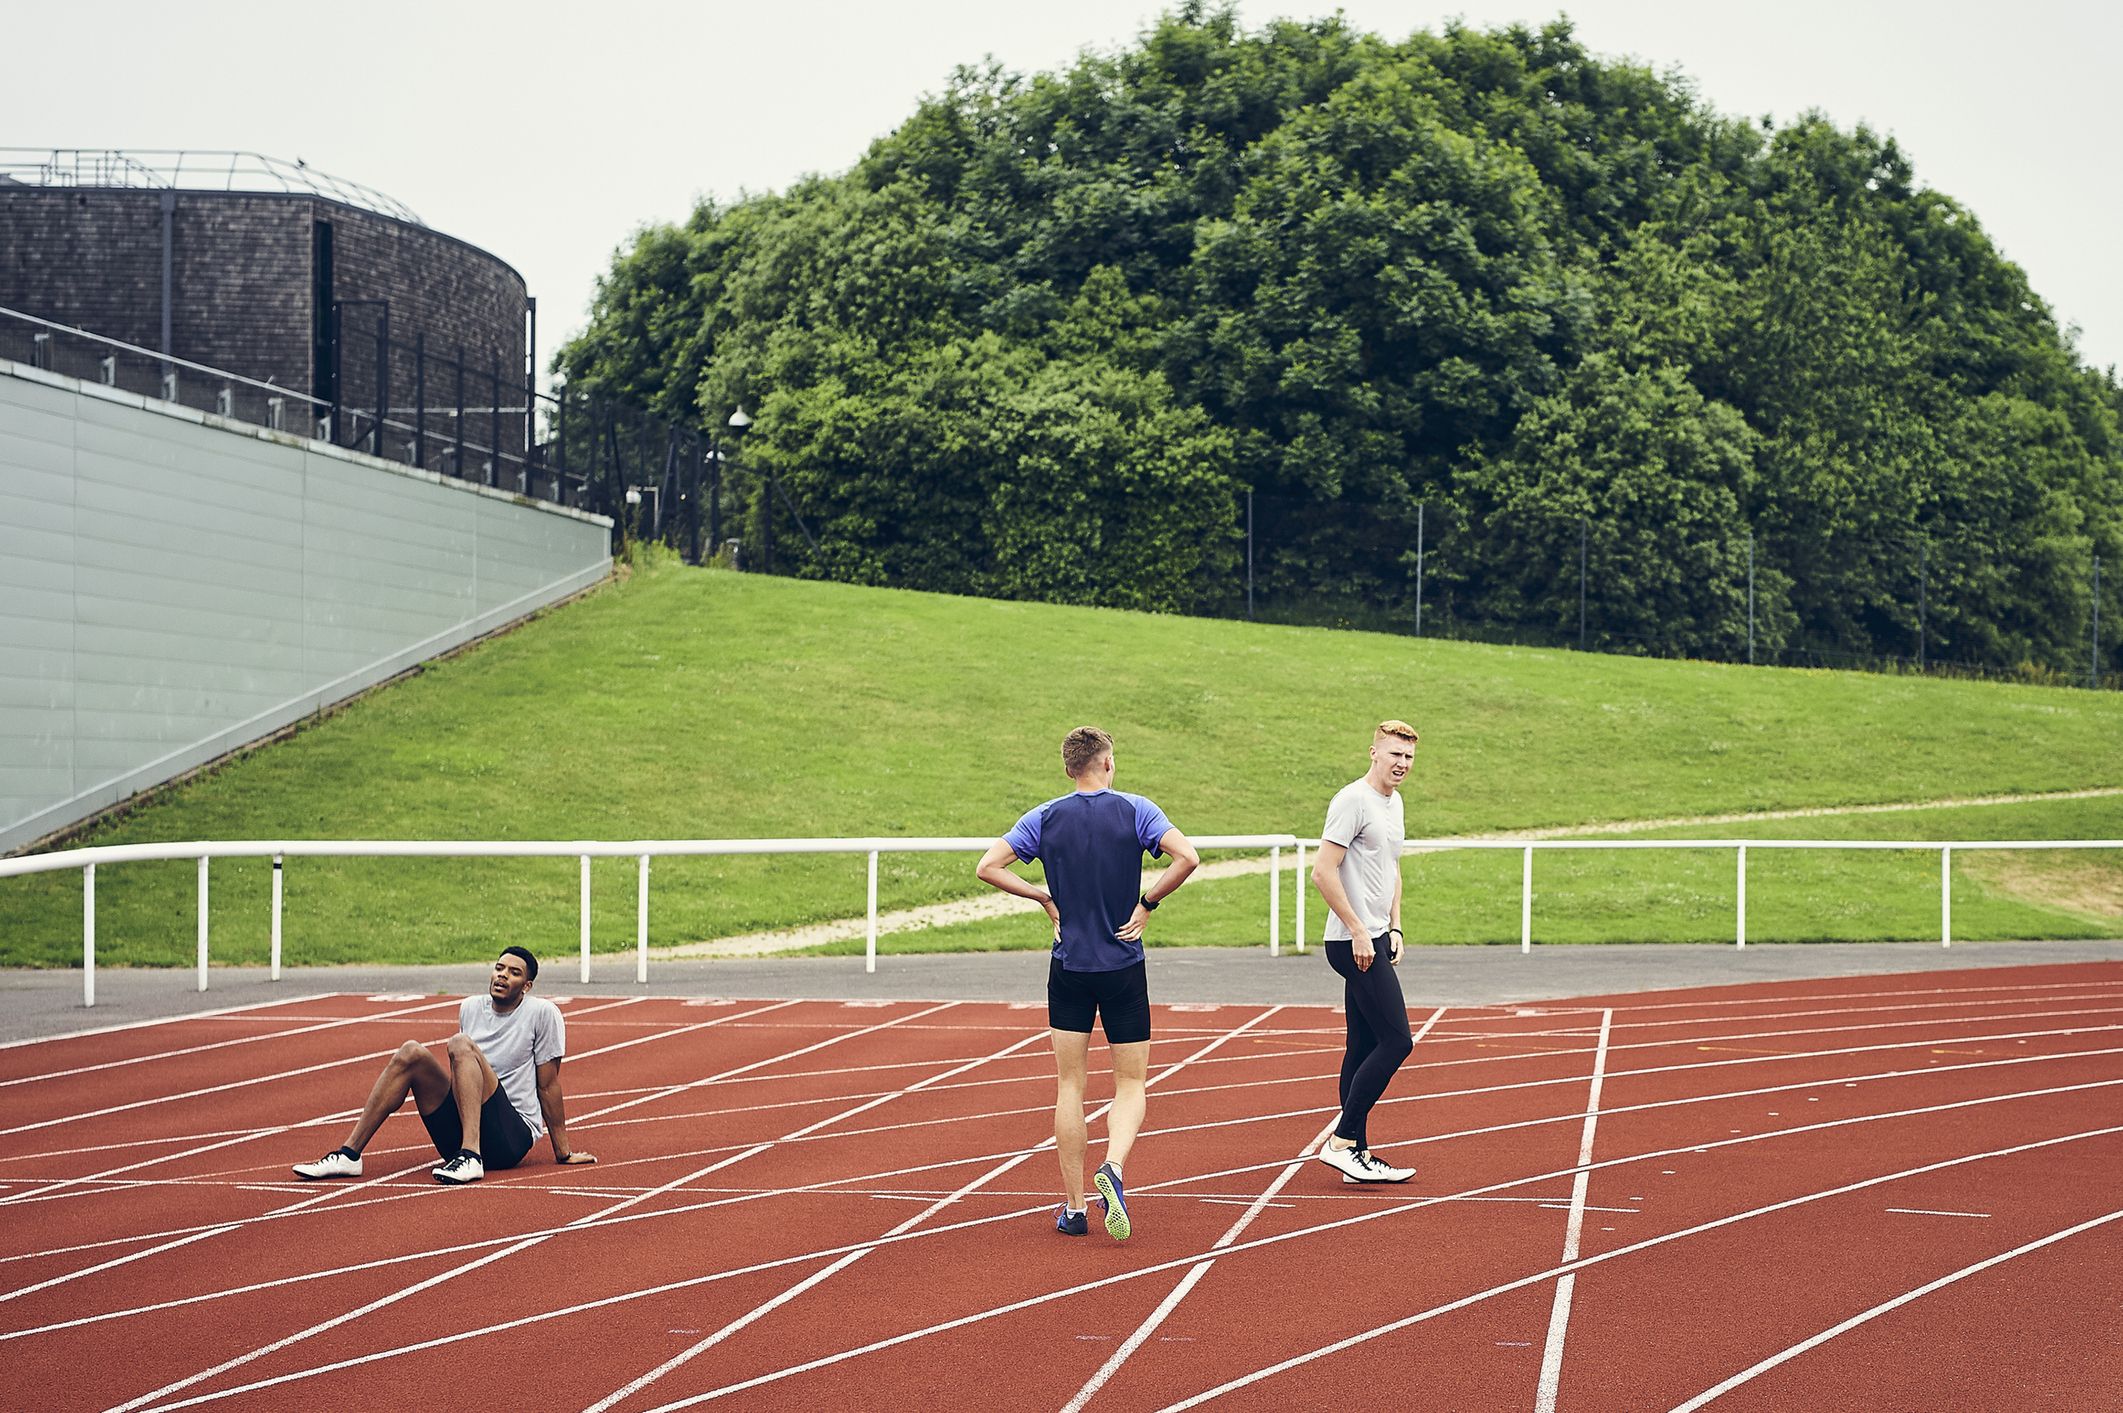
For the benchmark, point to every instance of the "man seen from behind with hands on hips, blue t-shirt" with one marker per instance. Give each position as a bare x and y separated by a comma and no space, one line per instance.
1092,843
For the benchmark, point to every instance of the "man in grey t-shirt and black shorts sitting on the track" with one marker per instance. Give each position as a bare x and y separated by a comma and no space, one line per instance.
494,1094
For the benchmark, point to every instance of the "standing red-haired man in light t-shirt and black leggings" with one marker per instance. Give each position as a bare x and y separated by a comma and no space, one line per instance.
1360,875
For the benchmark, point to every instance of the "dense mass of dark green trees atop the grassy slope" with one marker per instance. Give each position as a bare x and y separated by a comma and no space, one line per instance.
1056,334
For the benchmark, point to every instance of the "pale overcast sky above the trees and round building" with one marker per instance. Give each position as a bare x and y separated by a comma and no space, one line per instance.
549,133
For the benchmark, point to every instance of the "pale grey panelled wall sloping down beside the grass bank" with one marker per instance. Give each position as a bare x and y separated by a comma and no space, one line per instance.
175,587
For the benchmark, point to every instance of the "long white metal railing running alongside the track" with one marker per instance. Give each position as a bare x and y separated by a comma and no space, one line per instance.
205,852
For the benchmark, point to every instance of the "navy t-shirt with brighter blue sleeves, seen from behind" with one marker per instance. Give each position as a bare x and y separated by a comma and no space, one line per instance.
1092,848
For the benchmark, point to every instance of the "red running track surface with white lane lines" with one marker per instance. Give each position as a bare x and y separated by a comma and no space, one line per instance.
1808,1196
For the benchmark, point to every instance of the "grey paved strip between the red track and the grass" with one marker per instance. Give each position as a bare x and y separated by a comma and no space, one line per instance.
50,1002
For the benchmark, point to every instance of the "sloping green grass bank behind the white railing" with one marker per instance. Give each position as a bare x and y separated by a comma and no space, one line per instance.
689,703
